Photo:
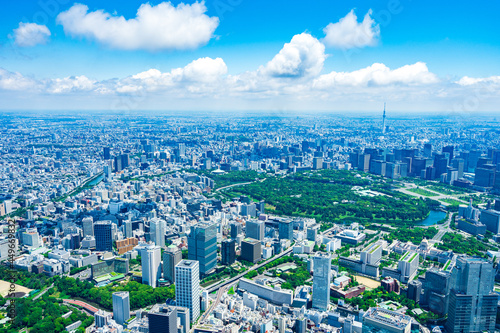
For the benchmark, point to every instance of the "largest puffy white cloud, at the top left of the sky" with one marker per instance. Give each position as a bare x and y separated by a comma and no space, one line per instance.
154,28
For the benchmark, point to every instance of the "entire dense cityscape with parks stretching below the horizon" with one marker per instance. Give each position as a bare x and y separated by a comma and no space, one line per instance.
249,223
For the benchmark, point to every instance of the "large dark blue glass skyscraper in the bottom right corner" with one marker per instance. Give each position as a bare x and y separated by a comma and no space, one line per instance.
473,304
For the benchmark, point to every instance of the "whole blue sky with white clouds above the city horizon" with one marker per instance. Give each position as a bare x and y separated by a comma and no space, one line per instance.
239,56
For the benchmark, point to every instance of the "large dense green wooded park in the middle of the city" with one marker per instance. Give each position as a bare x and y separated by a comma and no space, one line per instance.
328,196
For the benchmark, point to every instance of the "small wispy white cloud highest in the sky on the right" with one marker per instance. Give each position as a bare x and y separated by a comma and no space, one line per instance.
348,33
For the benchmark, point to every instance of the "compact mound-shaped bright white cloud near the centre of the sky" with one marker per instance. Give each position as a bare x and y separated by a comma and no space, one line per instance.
303,56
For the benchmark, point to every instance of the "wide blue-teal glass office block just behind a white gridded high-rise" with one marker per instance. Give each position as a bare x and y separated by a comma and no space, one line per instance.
202,246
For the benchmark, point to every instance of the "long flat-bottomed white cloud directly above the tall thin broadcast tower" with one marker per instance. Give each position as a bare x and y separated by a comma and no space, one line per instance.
378,75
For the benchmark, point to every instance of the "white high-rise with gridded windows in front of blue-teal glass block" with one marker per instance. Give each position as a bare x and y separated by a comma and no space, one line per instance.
187,287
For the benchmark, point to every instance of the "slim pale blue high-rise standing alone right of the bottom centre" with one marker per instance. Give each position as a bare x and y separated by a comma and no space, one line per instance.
321,281
